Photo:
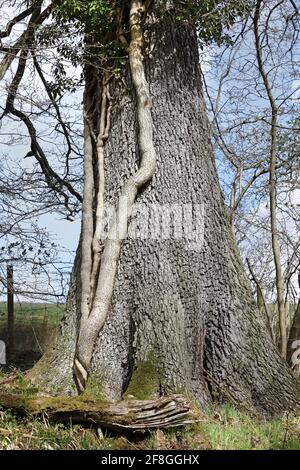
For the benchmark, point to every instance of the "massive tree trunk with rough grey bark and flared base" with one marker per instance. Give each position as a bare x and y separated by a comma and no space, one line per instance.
181,317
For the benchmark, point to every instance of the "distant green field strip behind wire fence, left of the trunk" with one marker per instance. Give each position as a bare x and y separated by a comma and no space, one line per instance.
34,312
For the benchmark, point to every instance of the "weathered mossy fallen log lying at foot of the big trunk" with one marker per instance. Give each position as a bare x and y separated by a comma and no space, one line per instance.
127,415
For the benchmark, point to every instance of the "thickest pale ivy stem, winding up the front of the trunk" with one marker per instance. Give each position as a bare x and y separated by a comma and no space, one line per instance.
92,325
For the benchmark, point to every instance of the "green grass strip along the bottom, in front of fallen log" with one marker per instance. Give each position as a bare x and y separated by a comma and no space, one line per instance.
225,428
